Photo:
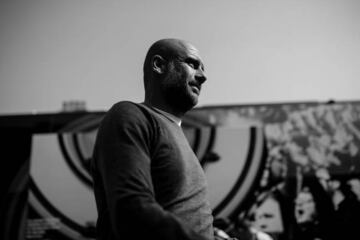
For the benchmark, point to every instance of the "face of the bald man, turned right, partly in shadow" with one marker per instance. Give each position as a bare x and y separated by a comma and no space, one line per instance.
182,83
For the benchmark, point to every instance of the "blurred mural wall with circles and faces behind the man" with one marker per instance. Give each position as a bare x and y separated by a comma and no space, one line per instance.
275,171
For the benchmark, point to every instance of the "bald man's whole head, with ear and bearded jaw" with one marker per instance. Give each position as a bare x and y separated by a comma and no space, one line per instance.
173,75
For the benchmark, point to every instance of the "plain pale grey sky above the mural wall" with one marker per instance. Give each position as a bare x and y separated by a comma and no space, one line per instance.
255,51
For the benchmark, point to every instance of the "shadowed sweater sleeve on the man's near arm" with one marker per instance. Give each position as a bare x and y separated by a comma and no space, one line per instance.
123,149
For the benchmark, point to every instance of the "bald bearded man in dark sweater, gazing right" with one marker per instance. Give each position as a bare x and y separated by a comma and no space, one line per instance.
148,182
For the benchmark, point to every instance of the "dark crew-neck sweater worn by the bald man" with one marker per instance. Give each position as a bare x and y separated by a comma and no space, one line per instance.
148,183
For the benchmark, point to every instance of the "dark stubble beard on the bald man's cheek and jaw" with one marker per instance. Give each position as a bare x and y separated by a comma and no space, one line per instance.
176,90
